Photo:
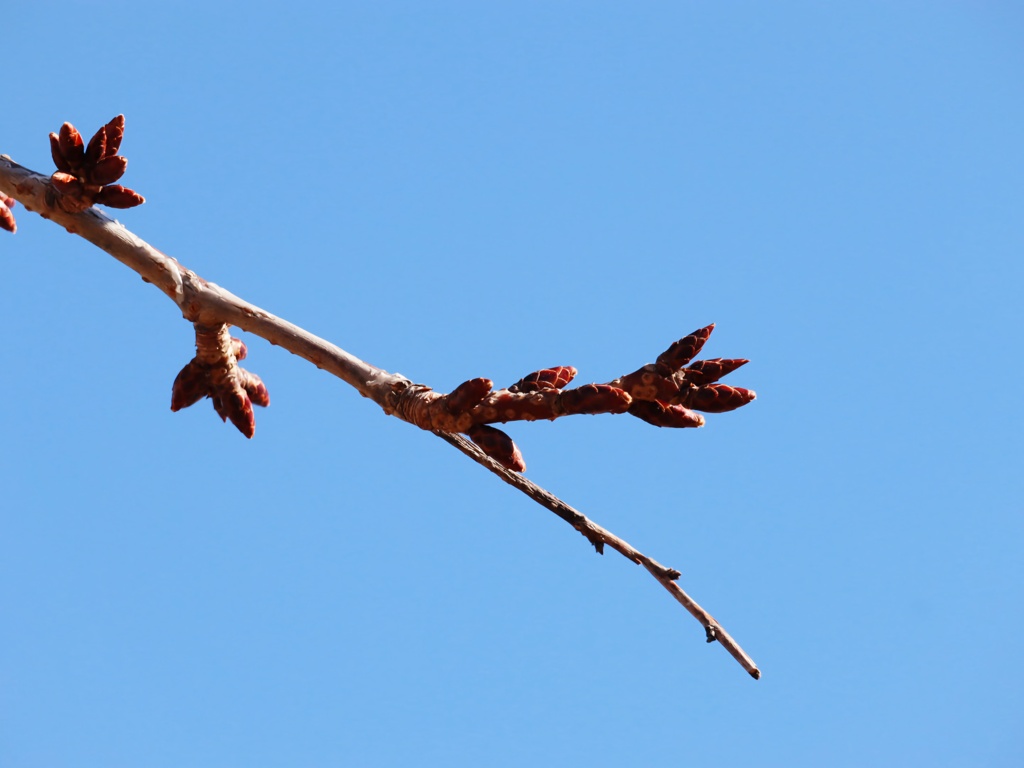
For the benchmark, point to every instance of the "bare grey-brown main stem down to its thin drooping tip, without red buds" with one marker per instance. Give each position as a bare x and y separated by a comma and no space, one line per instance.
206,304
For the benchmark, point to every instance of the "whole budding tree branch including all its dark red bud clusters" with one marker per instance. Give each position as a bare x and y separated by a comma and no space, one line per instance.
659,393
